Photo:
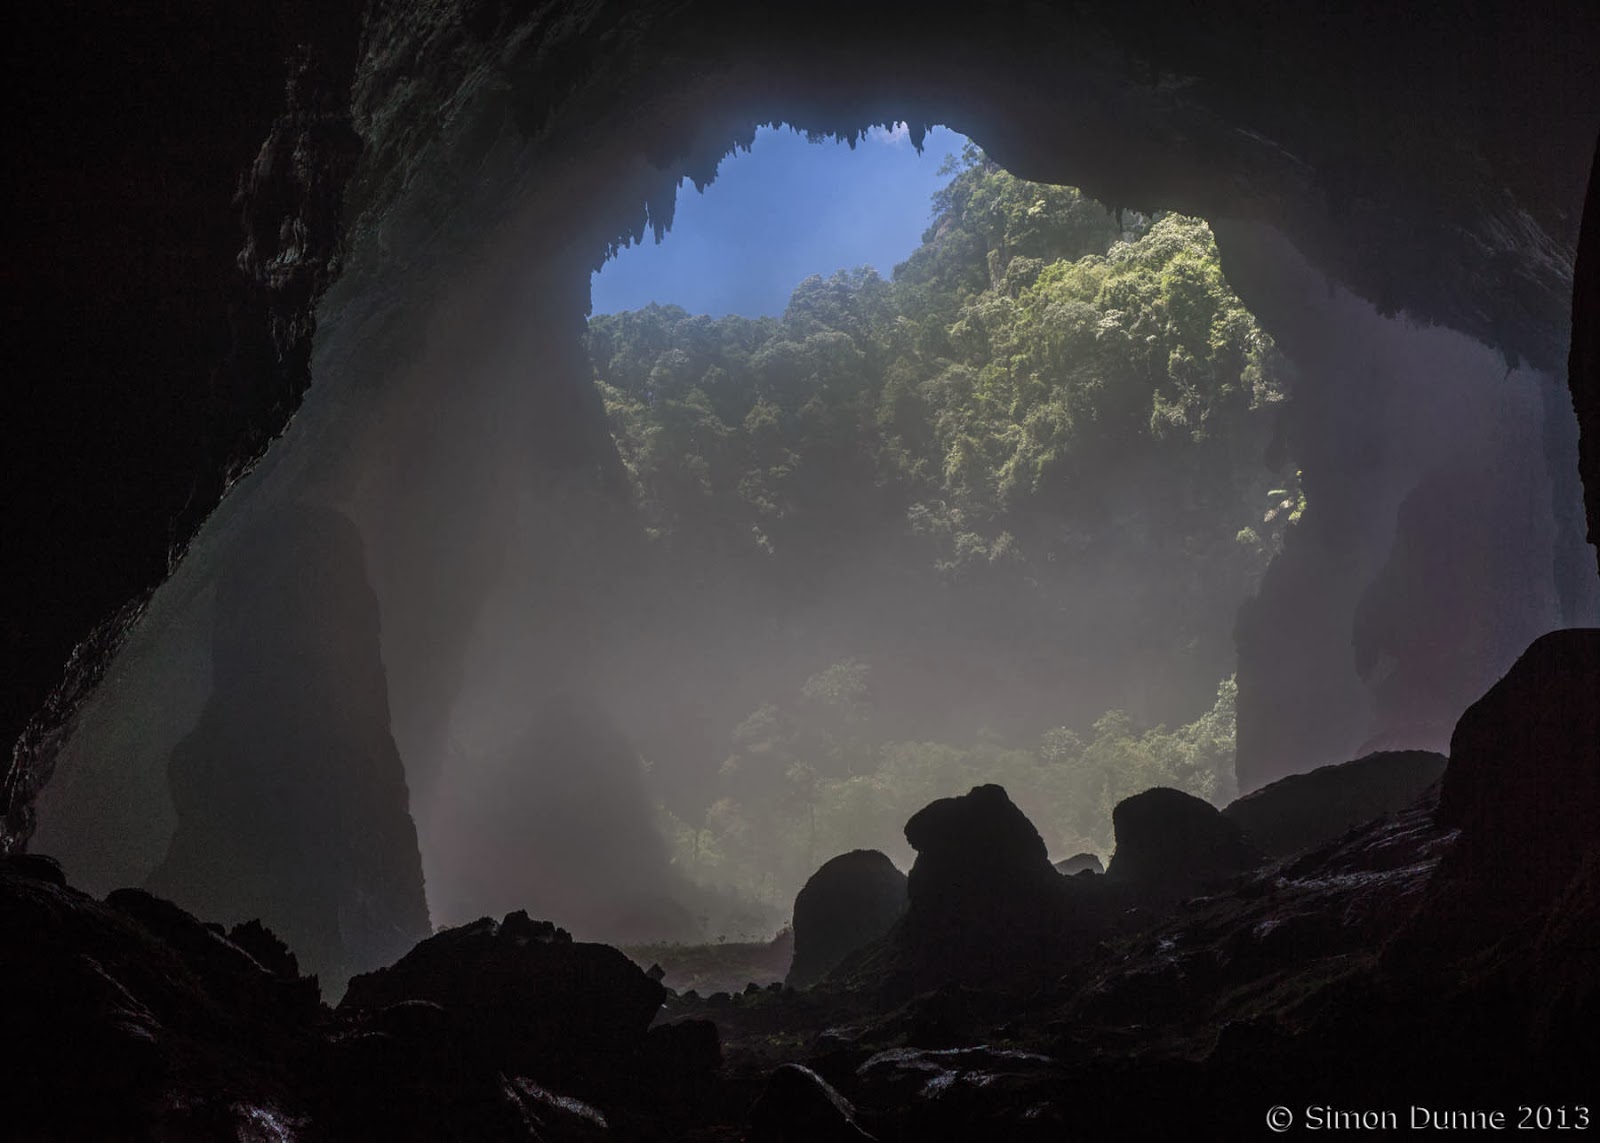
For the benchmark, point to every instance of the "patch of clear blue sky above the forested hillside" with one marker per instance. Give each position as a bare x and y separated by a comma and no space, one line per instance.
778,214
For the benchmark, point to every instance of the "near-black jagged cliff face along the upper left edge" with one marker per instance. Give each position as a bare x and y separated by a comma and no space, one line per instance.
174,222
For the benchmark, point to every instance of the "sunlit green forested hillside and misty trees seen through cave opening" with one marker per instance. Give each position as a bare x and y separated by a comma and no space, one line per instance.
1044,443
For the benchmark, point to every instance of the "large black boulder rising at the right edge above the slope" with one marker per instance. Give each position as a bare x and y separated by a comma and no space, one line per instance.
1524,777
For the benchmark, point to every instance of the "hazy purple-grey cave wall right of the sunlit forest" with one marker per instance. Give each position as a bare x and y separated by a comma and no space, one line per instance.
1433,550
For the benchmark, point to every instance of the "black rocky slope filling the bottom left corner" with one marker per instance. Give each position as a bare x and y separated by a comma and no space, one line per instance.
132,1019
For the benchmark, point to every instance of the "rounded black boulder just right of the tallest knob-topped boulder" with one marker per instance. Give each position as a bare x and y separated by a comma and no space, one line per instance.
1170,843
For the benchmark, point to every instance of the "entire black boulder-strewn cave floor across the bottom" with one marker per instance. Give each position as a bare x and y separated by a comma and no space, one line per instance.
1439,957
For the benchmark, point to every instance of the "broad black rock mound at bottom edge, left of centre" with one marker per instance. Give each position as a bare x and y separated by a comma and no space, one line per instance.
513,1030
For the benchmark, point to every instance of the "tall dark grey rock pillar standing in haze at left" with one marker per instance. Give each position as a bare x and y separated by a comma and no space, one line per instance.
292,801
